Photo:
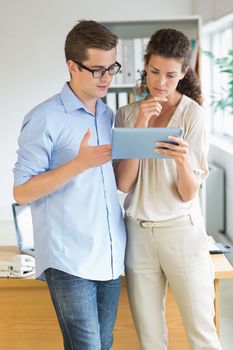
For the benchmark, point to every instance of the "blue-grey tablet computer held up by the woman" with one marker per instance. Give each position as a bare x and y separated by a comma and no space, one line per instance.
130,143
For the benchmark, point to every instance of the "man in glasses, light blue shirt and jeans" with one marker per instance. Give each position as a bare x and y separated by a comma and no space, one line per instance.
64,170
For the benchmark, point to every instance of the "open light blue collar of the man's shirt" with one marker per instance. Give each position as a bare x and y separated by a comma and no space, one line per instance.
72,102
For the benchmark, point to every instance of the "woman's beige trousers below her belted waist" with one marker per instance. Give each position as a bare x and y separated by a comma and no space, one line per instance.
173,251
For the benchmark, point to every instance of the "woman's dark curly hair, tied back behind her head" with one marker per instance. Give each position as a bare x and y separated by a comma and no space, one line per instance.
171,43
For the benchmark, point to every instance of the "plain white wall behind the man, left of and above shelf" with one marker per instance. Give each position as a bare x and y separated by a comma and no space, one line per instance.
32,64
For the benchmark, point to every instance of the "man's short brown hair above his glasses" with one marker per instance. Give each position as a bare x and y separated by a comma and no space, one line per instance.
88,35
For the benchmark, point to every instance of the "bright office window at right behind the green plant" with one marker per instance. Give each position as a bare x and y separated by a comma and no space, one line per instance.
218,39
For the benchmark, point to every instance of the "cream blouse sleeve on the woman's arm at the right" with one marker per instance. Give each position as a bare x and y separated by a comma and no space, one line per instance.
197,137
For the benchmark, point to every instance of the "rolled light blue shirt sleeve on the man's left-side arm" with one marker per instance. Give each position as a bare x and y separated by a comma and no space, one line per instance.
35,149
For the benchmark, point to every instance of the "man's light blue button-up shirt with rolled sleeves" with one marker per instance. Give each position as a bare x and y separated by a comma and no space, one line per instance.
79,228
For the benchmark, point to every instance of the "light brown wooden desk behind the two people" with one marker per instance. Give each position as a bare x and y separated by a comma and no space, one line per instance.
28,320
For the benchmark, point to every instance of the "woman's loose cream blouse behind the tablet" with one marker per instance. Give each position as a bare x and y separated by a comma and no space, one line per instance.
154,196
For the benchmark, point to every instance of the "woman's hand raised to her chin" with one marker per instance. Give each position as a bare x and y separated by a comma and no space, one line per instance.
150,107
